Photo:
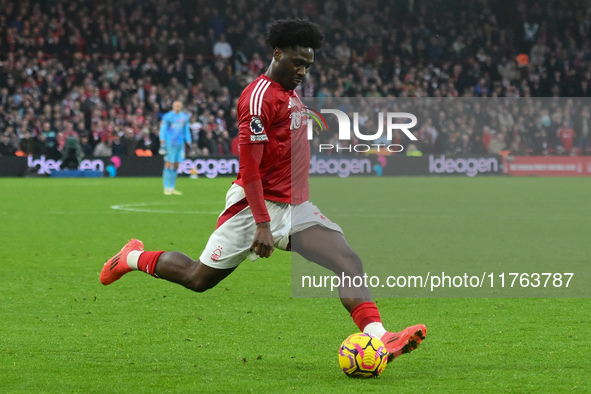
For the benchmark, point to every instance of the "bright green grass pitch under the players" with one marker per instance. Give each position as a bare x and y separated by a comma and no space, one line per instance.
62,331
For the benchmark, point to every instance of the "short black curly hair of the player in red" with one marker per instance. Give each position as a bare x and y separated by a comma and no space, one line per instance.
286,33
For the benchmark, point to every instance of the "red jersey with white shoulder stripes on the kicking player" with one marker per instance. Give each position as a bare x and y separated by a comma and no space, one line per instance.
268,114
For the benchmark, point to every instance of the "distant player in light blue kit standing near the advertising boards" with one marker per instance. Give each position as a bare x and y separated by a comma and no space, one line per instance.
174,134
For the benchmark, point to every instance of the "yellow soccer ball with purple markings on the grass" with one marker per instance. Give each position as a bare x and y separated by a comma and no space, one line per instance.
362,356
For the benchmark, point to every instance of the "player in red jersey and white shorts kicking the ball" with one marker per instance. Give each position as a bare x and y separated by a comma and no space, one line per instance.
267,206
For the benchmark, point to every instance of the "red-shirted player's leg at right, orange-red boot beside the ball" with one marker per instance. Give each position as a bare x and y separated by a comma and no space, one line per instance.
330,249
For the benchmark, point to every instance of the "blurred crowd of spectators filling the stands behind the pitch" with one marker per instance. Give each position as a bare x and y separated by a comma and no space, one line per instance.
104,72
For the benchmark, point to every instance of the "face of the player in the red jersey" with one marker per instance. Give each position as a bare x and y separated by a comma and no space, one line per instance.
293,65
